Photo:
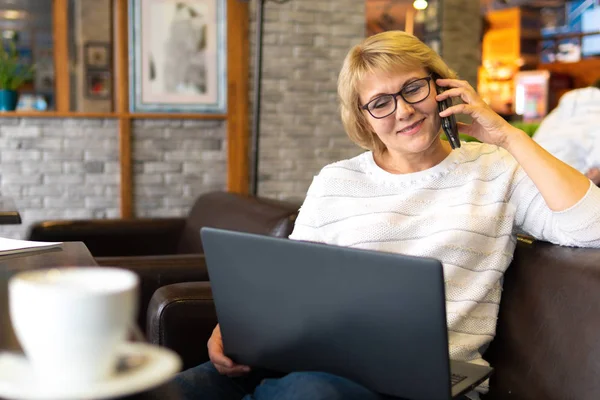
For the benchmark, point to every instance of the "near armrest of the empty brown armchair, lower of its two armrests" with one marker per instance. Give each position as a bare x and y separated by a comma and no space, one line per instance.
158,271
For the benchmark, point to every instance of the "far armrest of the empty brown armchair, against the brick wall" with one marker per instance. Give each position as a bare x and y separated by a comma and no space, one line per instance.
114,237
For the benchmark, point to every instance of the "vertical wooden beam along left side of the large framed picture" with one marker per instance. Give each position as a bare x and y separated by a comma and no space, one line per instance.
122,105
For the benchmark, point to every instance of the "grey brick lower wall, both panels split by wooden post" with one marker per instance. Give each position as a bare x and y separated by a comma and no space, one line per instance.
66,169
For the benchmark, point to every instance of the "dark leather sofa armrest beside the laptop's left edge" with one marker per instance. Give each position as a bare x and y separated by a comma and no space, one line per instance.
182,318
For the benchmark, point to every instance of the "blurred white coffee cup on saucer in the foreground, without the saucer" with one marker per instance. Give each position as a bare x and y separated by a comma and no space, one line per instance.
70,321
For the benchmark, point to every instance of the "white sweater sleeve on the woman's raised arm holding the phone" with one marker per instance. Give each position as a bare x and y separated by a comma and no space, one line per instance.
577,226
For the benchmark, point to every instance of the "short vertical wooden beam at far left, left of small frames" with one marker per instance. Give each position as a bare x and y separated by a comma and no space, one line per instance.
60,27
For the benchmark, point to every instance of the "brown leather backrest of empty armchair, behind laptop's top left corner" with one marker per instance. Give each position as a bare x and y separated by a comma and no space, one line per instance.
239,213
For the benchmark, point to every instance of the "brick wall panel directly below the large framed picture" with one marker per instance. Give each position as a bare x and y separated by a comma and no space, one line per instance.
174,162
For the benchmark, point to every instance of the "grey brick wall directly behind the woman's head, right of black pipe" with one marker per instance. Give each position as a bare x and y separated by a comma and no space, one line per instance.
305,43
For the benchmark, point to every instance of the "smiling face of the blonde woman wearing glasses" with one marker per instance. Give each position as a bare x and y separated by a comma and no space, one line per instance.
413,128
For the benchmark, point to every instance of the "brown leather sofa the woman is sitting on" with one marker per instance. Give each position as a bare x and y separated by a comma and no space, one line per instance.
548,338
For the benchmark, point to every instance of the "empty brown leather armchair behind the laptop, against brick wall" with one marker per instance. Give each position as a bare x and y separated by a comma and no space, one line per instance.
164,251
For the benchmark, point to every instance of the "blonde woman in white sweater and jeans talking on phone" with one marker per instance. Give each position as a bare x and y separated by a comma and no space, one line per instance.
412,194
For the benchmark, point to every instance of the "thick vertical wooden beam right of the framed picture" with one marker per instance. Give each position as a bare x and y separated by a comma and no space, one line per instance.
237,96
